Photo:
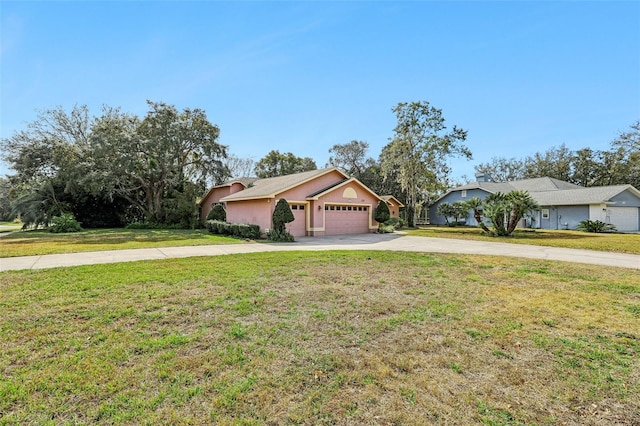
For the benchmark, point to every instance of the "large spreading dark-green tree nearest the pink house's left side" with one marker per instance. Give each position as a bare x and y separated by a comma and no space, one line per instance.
147,161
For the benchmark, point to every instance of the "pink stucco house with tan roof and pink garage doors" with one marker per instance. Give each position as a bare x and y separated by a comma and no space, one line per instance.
323,202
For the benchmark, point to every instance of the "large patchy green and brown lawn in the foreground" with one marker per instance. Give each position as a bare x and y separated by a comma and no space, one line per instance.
322,338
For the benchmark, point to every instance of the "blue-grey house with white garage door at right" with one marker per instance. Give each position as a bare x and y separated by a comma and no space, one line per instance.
562,204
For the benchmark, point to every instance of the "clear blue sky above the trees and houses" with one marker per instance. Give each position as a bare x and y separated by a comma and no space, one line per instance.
301,76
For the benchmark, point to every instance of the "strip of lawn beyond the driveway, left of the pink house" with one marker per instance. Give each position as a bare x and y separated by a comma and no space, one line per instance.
43,242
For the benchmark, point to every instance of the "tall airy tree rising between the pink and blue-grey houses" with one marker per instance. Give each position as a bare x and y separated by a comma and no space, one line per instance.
419,150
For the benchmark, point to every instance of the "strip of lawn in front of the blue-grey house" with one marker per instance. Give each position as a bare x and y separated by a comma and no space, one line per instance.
621,243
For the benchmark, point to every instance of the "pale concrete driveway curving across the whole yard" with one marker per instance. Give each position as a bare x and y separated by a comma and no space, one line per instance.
389,242
